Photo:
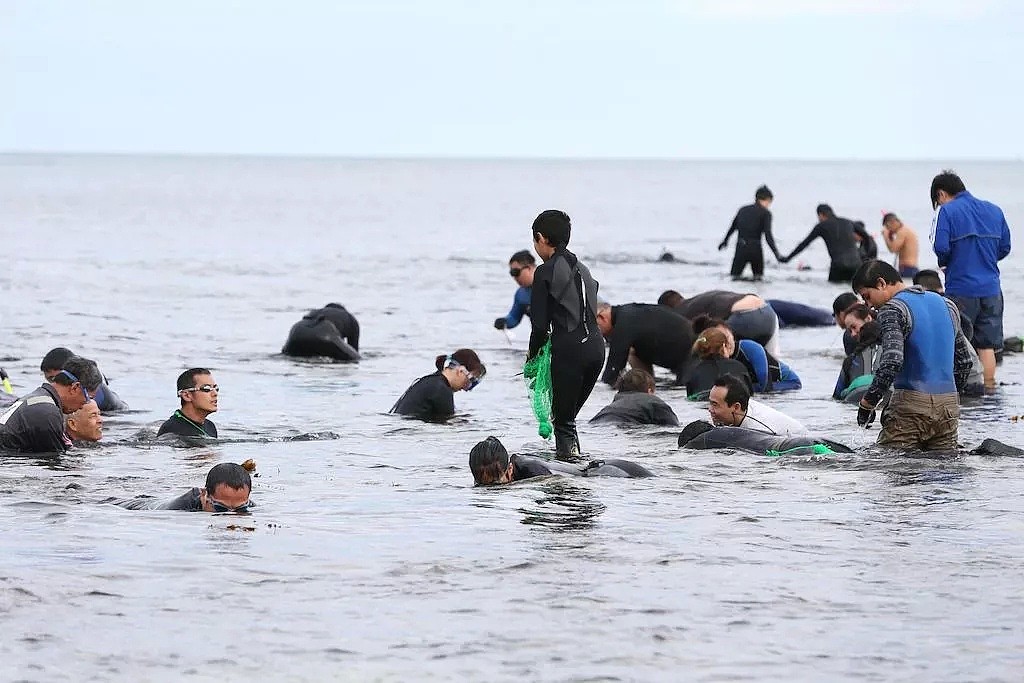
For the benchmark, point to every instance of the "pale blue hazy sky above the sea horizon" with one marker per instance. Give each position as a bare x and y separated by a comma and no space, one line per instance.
719,79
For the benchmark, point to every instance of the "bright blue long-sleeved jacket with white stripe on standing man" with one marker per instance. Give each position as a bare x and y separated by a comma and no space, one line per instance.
970,237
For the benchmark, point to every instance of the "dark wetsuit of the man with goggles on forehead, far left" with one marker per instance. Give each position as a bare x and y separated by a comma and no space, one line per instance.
35,423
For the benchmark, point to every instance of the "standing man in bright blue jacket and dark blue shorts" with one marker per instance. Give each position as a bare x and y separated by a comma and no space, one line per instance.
970,238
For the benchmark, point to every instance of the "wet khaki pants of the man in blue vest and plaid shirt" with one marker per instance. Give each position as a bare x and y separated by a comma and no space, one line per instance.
916,420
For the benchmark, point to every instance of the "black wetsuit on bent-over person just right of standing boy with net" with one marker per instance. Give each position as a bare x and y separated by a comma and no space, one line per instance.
658,335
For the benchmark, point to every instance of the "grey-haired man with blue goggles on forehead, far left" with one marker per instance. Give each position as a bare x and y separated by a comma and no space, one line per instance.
35,423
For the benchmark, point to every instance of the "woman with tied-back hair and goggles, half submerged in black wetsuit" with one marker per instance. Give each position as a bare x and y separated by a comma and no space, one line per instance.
433,398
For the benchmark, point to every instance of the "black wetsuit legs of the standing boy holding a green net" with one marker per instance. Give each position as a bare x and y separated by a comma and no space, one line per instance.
576,365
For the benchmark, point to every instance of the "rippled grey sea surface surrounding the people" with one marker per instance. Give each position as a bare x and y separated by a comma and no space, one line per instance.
371,556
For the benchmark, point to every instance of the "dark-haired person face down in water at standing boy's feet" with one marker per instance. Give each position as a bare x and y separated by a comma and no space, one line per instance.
492,464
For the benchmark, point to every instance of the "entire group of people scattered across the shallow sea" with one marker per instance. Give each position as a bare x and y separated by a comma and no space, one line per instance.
911,352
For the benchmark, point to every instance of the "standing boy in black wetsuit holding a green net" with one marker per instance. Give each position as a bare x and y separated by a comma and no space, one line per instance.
564,307
